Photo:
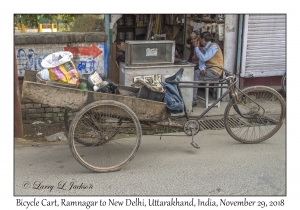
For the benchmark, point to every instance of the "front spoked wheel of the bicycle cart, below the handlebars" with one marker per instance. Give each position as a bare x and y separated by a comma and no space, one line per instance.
262,110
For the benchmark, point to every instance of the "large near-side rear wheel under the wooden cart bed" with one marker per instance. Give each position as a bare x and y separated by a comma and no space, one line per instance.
104,136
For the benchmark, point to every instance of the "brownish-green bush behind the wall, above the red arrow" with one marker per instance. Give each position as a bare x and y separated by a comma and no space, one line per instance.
87,23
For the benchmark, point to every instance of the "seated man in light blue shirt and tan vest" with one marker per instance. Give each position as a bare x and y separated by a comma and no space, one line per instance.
211,55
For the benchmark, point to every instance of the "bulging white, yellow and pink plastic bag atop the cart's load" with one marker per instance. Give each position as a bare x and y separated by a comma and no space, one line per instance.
61,68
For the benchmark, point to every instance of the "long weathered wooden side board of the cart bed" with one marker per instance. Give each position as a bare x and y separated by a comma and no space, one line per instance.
75,99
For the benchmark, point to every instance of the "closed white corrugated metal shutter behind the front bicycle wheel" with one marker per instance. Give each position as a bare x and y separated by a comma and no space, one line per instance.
264,45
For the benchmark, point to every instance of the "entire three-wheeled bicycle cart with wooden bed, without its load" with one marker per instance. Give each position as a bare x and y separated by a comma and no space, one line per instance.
106,132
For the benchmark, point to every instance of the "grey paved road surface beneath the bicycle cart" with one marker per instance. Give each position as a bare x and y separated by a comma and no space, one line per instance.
170,166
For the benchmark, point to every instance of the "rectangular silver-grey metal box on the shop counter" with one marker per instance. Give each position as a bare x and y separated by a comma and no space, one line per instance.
140,53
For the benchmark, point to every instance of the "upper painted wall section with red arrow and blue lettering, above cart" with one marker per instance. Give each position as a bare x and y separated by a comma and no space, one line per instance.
88,50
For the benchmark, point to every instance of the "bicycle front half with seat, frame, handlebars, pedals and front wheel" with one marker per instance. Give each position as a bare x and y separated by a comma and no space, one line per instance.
192,126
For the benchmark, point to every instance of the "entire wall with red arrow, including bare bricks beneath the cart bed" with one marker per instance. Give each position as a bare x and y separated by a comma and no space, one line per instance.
89,54
